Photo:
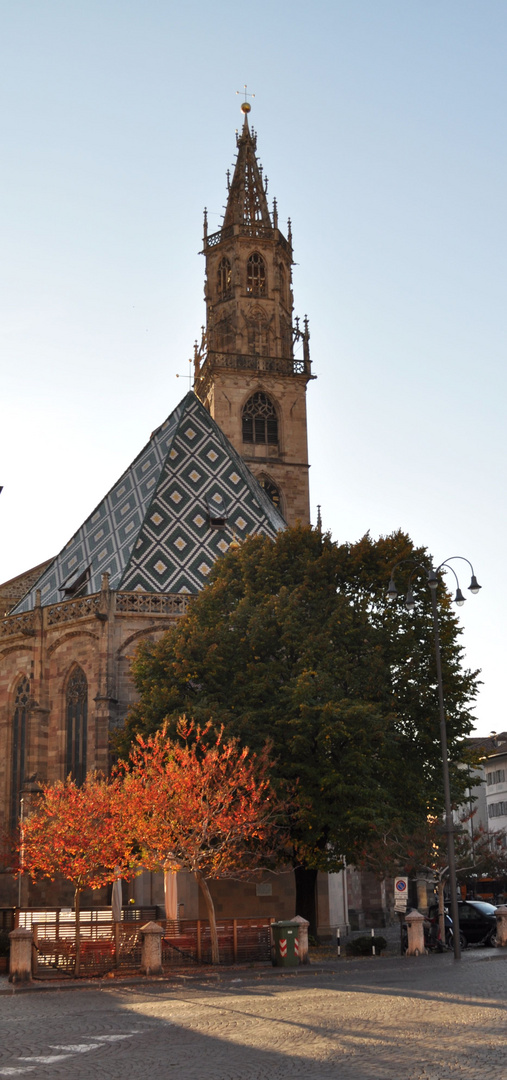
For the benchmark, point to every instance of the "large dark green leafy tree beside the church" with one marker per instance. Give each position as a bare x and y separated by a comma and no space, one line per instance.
293,642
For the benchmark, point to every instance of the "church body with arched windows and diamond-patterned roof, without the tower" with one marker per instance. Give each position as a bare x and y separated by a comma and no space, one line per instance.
128,574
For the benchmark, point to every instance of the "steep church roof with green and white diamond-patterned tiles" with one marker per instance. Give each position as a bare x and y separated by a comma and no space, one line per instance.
152,533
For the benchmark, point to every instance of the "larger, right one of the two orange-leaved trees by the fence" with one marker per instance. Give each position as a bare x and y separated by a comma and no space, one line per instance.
202,805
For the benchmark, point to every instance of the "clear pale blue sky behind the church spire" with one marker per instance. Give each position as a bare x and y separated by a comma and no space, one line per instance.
382,130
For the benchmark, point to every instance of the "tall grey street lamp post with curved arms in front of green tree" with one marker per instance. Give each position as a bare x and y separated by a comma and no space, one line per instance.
433,582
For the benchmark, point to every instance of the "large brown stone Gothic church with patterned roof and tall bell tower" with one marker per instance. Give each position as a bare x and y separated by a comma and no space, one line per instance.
231,462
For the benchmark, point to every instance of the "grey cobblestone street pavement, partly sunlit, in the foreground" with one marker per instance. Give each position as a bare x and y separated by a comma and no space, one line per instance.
410,1019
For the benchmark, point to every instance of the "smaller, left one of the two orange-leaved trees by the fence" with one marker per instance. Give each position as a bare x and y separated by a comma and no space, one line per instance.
82,833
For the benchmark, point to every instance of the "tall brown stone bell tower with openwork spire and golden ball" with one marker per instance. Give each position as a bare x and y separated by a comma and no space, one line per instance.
253,364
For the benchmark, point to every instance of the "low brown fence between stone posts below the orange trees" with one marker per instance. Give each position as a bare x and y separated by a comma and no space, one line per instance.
117,947
